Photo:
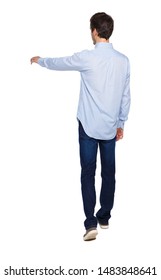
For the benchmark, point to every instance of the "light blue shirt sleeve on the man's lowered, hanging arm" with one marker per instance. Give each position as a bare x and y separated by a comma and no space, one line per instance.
125,102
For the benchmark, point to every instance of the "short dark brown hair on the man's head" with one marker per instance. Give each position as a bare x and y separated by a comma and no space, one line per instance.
103,23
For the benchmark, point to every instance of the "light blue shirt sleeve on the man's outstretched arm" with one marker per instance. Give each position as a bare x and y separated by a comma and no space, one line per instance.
76,62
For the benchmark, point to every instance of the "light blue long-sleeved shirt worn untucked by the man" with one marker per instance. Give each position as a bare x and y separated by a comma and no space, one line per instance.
104,100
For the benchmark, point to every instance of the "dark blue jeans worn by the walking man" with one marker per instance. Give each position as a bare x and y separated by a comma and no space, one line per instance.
88,155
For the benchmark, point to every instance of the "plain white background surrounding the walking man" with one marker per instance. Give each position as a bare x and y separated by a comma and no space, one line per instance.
40,202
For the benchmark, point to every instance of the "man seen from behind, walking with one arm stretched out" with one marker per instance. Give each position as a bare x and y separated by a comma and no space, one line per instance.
102,110
